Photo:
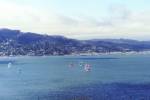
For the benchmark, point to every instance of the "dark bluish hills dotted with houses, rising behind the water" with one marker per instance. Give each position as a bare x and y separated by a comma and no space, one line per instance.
15,42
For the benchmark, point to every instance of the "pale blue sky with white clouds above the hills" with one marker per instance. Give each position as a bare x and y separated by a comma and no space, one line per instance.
79,19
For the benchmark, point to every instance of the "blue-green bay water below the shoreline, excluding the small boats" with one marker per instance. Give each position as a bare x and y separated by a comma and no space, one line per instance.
113,77
